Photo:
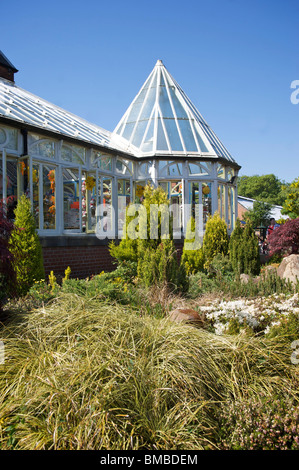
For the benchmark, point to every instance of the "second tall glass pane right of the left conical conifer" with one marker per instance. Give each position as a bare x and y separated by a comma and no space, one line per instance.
71,198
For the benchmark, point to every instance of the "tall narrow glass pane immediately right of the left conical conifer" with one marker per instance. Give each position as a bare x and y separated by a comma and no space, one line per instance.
49,208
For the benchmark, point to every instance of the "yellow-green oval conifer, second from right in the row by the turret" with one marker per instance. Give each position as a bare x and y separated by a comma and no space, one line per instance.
215,239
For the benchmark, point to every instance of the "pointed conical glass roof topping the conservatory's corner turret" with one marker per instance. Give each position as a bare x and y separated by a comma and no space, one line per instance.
162,120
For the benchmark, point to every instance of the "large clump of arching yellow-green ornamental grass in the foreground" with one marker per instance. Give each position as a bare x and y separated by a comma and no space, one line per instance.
82,374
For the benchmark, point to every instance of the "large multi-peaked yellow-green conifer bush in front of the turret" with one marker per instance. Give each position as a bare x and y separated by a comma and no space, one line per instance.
148,250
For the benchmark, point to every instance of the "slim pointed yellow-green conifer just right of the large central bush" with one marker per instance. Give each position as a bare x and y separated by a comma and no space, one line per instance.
193,259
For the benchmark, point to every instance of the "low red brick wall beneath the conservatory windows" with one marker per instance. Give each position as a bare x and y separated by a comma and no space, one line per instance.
83,260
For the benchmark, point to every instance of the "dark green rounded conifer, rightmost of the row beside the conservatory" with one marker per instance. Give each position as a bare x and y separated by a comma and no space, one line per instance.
244,250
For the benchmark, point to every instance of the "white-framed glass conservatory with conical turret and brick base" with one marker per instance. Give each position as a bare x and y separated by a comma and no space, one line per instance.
80,177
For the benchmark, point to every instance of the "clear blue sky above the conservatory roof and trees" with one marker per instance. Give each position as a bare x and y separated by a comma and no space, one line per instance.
235,59
